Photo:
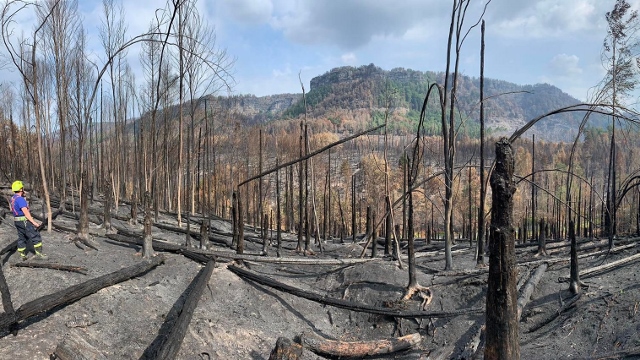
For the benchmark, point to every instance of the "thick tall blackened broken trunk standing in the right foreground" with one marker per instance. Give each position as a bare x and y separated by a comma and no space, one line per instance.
502,323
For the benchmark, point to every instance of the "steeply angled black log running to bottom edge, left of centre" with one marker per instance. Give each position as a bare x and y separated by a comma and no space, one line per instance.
170,345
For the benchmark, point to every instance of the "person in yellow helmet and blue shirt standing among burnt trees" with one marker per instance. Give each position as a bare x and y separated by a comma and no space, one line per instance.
25,223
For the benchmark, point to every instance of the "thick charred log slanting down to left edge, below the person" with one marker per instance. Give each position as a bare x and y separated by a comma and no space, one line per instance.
75,292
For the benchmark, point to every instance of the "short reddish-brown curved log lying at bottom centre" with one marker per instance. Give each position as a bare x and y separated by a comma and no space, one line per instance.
358,349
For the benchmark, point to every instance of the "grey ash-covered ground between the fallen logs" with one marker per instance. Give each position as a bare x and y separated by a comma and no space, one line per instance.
239,319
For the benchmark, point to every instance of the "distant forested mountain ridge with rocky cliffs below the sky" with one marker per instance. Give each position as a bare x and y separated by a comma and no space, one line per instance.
348,89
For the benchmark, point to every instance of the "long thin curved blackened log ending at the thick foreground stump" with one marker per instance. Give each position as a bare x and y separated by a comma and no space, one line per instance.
347,304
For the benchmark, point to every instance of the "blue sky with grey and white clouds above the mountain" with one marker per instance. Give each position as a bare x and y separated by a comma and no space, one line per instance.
274,42
